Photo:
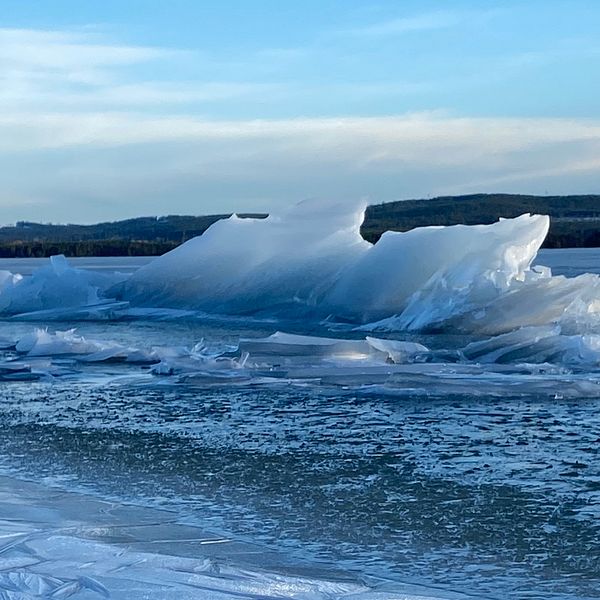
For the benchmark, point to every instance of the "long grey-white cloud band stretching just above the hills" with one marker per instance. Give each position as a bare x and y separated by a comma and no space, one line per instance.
123,164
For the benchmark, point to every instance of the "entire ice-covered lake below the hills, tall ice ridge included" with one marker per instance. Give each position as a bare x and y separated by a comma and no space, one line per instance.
414,418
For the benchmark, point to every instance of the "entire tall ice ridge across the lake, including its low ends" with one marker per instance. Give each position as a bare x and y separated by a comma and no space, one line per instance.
310,263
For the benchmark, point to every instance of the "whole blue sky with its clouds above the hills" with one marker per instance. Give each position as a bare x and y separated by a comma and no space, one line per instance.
117,109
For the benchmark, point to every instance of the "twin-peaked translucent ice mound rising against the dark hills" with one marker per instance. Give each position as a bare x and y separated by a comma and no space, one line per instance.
312,261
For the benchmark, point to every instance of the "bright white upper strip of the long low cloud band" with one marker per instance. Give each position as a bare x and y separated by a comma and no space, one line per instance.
404,137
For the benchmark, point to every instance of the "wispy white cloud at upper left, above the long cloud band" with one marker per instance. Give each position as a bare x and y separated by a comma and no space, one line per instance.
81,71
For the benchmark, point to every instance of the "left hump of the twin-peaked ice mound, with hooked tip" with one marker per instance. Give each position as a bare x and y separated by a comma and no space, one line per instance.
284,264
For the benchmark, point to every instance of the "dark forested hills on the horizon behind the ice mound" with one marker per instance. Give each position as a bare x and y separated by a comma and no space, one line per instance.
575,222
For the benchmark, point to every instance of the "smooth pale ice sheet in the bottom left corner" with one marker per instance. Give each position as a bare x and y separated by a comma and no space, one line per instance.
76,546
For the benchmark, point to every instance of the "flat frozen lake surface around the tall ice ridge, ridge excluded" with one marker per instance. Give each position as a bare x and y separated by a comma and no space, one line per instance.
311,474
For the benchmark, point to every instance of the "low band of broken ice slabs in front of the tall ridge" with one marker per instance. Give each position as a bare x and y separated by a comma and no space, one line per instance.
537,360
